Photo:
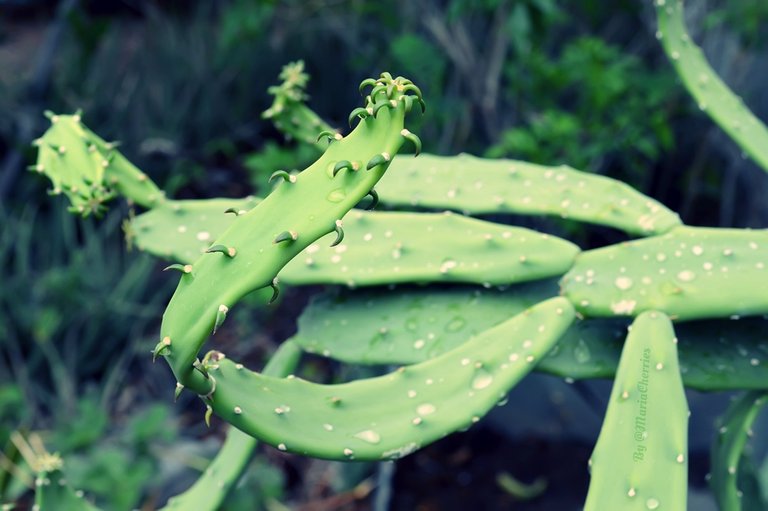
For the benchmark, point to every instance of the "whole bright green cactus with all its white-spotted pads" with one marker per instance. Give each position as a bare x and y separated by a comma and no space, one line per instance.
225,249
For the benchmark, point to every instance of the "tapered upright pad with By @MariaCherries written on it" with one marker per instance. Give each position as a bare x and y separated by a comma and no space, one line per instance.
640,461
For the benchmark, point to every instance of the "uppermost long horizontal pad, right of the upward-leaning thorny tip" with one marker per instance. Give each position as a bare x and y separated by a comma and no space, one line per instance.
480,185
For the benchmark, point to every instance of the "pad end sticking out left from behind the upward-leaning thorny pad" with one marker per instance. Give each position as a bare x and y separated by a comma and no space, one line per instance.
183,230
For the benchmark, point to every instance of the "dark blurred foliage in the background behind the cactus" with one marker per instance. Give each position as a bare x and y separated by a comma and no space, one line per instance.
182,86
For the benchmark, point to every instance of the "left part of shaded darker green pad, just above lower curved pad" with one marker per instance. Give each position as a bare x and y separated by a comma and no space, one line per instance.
408,325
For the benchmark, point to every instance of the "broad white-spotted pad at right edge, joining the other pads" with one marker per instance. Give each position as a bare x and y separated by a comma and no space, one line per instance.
688,273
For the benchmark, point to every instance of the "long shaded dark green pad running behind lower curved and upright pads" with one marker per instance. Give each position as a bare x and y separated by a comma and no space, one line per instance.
411,325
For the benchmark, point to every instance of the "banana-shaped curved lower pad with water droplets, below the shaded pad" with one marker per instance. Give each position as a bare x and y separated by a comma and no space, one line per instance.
390,416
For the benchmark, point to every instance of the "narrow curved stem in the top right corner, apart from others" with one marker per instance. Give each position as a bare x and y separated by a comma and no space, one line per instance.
711,94
